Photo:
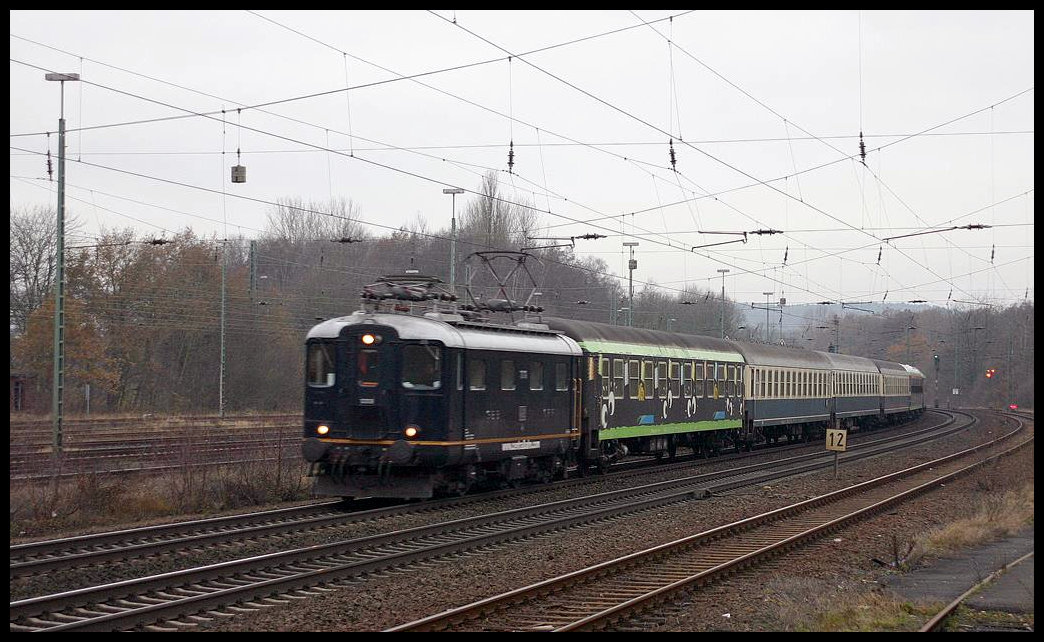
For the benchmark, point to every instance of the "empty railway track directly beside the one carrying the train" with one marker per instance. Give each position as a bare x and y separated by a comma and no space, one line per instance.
178,599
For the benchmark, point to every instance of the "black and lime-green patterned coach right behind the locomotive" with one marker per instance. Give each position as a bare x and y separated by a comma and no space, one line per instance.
648,392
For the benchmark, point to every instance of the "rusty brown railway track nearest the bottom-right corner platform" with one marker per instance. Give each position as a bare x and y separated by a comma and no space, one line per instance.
618,593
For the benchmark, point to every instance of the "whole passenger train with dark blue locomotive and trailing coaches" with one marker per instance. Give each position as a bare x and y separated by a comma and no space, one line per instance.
417,406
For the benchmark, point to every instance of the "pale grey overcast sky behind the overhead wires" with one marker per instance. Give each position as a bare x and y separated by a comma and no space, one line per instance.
765,110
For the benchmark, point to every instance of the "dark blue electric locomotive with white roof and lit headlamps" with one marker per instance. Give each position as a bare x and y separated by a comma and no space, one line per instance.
409,407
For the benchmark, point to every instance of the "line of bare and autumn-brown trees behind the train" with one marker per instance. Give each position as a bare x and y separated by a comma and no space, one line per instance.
145,316
